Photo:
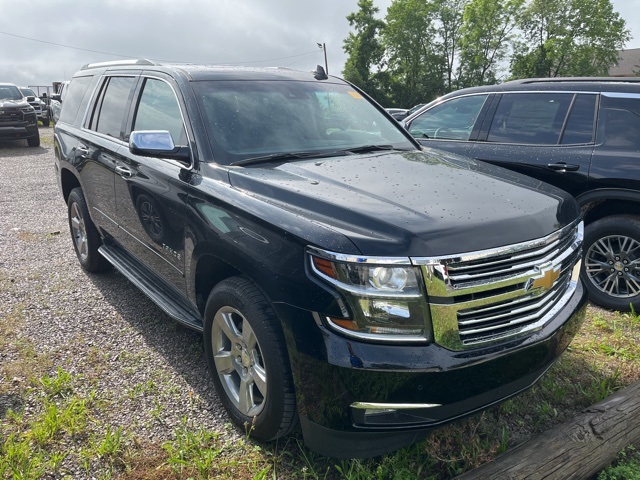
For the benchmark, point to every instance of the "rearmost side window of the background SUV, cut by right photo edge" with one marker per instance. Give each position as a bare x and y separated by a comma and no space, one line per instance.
620,122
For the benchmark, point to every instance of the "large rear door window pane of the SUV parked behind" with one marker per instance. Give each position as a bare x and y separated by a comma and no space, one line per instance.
531,118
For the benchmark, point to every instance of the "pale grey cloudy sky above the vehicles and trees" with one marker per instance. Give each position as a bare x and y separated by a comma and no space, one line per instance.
46,41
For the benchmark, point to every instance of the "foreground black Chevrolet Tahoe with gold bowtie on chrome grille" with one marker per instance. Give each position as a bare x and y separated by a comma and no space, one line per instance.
344,278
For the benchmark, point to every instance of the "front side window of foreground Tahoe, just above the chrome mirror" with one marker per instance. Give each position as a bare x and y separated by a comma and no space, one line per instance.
158,109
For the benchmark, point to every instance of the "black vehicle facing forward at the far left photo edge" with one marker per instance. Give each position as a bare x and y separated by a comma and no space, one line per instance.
17,118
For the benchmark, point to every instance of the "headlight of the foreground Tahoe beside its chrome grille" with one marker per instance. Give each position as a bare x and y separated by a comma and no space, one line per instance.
385,297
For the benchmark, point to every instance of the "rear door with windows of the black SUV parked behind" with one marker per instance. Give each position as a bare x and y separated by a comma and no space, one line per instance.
546,135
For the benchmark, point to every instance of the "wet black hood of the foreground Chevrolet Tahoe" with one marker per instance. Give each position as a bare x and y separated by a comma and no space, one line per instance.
412,203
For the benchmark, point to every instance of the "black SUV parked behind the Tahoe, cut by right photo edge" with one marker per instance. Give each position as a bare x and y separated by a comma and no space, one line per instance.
580,134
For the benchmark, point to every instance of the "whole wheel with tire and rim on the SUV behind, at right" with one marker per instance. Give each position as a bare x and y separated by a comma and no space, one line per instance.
611,264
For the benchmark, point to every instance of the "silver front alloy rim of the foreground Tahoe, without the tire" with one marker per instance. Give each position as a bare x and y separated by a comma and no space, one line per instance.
238,361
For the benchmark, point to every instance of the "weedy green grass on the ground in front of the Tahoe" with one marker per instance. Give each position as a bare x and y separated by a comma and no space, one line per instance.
60,433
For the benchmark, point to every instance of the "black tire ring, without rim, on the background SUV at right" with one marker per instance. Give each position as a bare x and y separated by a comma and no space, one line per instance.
628,226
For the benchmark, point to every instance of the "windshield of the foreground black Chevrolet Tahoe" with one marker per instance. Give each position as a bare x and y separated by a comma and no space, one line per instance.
249,119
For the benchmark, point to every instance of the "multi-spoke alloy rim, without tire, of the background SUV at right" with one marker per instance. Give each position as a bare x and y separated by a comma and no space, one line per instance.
612,264
